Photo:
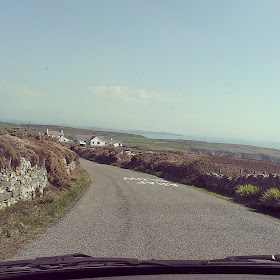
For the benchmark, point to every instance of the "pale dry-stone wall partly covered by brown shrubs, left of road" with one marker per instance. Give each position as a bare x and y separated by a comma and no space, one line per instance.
25,182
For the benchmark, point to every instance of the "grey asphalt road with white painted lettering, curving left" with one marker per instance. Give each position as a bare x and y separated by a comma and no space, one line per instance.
131,214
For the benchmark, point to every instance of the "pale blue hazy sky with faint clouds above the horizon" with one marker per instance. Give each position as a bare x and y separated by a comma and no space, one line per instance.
200,67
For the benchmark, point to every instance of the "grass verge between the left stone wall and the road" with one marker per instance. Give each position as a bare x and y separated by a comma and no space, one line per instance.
26,220
